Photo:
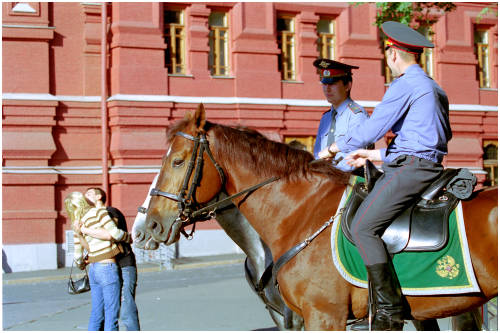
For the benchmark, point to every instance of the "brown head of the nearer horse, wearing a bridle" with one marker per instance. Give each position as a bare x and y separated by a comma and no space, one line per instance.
189,177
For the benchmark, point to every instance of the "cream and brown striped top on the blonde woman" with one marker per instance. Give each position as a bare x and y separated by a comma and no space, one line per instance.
99,249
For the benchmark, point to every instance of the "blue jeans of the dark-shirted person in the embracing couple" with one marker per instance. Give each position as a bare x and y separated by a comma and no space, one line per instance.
128,312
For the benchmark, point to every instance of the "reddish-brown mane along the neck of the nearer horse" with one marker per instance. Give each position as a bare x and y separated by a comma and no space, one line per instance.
269,158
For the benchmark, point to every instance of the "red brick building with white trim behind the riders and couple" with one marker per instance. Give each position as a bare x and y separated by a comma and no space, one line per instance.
249,63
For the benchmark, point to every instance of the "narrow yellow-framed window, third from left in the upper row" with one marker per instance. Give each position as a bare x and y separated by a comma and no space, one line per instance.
286,43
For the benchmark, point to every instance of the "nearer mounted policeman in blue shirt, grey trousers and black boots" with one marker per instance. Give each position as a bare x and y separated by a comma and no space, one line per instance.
415,108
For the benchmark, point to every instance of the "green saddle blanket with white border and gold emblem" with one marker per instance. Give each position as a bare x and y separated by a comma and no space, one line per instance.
448,271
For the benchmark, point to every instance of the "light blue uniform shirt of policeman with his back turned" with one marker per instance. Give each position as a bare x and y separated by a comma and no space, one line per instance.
415,108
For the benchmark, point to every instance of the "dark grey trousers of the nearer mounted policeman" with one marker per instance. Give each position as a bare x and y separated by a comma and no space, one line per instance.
404,179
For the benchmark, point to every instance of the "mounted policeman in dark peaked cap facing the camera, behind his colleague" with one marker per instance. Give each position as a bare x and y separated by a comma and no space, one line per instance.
336,79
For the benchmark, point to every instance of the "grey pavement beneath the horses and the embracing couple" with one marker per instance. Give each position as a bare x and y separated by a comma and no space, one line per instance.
201,293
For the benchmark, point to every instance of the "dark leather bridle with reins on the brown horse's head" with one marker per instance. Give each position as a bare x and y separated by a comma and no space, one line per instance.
189,210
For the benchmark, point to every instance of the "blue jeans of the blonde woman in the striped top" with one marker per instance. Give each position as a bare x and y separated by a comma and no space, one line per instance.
105,296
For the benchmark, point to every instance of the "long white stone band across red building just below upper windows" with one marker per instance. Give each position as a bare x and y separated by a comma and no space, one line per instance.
218,100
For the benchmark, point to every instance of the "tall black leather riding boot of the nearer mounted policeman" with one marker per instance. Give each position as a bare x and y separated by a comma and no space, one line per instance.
388,300
